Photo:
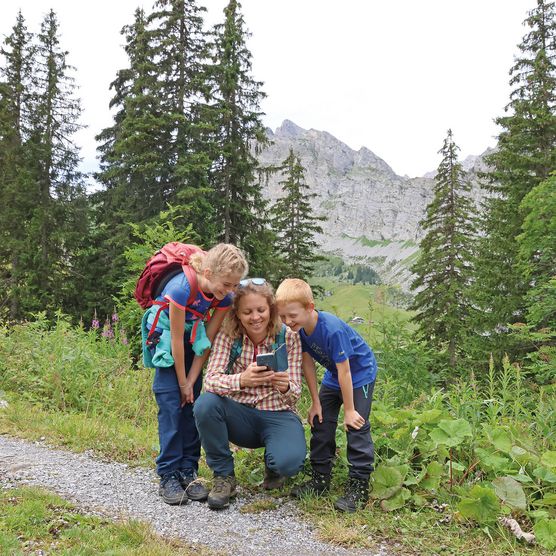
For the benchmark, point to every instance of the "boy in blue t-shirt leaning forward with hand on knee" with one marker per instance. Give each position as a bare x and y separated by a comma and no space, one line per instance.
349,380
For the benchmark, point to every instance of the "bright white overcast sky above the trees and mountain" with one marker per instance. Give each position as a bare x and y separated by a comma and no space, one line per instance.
391,75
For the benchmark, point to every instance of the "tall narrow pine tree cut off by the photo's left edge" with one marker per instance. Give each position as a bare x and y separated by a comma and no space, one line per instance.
17,189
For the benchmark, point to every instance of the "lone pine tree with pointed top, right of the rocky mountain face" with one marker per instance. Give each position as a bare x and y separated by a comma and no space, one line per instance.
444,265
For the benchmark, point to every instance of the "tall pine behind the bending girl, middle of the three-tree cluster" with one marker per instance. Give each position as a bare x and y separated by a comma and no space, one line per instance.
181,49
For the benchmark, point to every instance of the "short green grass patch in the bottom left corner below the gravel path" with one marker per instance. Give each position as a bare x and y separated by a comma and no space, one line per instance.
34,521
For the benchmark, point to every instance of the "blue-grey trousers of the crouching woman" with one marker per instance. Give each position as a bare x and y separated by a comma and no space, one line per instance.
221,420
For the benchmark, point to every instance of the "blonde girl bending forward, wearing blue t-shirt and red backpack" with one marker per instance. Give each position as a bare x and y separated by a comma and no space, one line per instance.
218,273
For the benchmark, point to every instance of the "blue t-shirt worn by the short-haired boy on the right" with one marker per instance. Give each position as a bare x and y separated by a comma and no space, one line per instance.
334,341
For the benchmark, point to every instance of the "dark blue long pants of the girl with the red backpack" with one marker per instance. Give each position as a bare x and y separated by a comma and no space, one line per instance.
180,447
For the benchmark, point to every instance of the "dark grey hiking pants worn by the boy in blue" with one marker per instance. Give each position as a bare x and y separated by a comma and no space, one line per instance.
360,448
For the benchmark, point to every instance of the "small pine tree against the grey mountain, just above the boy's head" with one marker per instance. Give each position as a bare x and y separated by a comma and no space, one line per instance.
294,223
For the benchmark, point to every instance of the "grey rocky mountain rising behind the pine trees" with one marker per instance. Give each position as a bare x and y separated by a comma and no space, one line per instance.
373,214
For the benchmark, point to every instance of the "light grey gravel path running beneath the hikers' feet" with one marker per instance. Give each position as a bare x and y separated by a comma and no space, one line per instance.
117,491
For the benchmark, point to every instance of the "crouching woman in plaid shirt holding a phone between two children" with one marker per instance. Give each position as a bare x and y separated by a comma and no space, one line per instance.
250,405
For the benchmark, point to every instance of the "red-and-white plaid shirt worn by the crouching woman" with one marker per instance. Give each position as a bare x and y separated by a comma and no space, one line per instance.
261,397
